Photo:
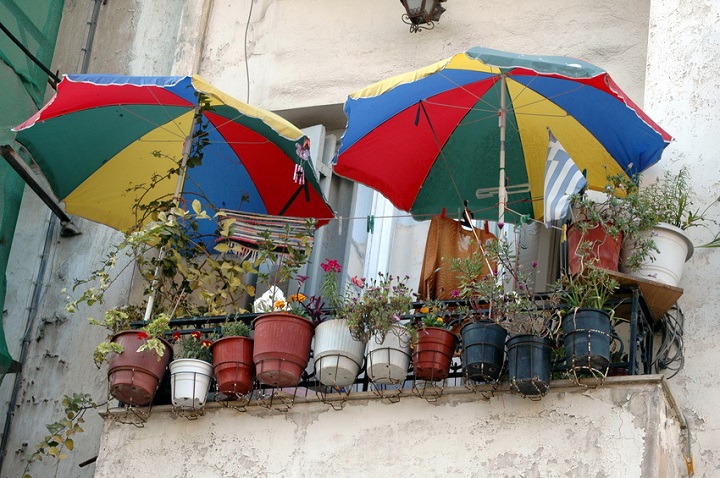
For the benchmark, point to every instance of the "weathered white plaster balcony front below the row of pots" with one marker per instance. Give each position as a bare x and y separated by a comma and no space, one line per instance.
624,430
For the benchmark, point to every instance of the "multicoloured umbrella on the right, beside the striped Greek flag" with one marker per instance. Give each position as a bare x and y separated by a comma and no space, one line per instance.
475,128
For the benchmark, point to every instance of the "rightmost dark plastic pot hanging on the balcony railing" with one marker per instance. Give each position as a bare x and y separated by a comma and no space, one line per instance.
587,336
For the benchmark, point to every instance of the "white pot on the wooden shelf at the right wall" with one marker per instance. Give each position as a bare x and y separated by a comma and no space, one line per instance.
675,249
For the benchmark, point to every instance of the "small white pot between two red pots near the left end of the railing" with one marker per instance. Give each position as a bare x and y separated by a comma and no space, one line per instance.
190,382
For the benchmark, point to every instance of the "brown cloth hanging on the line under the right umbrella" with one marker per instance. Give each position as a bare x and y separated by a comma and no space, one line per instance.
447,239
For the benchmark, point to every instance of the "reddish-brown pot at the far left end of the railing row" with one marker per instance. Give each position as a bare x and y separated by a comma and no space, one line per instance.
134,376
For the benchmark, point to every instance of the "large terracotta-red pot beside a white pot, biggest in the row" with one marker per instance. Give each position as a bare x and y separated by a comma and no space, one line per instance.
282,348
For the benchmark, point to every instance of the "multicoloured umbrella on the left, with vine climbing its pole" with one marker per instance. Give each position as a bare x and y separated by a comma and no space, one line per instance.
103,139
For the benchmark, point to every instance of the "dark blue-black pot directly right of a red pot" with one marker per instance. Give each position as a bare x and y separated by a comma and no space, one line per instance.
483,351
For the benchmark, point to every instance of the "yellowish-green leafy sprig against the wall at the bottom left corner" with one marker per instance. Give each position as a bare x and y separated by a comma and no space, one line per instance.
62,432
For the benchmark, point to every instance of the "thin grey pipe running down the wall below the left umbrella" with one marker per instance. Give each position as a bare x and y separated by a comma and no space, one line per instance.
32,314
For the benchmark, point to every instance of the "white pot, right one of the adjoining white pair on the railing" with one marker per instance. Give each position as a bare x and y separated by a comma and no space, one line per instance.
388,361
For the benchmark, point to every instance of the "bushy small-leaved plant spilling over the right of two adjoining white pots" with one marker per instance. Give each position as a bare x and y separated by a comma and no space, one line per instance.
373,307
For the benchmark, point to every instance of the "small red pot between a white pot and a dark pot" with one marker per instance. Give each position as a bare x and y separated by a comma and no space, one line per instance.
433,353
